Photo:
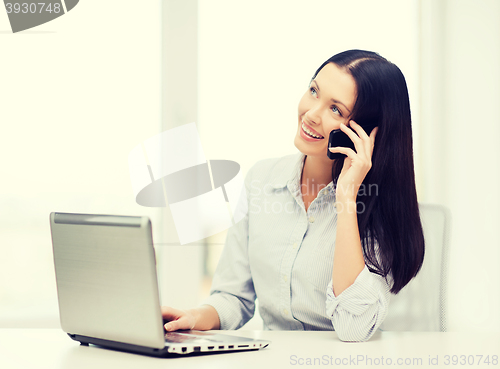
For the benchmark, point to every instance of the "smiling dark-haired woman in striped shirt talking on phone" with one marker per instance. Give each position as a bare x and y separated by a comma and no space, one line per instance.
346,231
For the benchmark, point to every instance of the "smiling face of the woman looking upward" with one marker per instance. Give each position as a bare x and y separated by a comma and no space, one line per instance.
327,103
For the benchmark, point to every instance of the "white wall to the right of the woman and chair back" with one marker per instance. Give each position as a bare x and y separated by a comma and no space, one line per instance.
460,150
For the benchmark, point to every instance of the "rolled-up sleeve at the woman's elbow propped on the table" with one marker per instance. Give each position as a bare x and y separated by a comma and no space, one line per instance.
360,309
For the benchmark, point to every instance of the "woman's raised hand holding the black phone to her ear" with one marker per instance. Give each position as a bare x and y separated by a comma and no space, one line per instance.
357,164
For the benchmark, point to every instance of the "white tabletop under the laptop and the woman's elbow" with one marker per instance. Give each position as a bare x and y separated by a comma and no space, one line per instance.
52,348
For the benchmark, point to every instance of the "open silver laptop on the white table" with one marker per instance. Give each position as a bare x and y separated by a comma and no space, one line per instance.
108,290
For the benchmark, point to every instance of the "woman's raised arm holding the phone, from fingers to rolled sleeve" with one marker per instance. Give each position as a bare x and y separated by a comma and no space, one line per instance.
357,299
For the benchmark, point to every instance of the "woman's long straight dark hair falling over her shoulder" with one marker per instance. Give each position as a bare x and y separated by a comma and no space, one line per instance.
390,216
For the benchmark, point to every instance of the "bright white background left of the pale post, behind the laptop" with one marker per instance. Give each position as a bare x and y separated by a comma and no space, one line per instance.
77,94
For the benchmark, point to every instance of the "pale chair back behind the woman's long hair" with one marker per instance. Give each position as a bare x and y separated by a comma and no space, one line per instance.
421,304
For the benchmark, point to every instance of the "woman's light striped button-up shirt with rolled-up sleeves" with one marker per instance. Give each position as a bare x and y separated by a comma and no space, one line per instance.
283,255
